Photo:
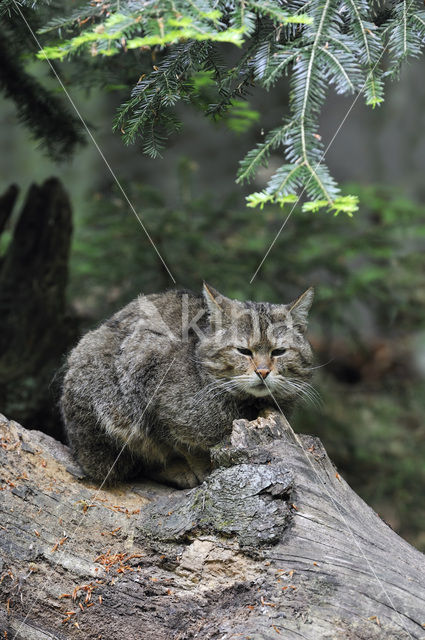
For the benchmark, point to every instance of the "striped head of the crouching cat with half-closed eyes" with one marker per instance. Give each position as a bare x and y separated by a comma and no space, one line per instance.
256,348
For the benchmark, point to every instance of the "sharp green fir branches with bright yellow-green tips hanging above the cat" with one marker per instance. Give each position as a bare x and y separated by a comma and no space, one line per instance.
321,43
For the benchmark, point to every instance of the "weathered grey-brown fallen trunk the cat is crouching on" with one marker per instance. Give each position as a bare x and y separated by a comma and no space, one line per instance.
273,545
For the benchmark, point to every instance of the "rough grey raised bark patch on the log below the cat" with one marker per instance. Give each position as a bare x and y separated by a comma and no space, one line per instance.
237,501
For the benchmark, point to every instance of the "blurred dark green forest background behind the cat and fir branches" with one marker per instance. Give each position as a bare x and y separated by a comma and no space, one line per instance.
367,323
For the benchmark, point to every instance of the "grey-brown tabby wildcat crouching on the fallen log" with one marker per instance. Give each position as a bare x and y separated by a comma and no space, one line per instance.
162,380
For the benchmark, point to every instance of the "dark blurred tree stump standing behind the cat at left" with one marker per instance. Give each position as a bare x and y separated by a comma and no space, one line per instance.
35,326
